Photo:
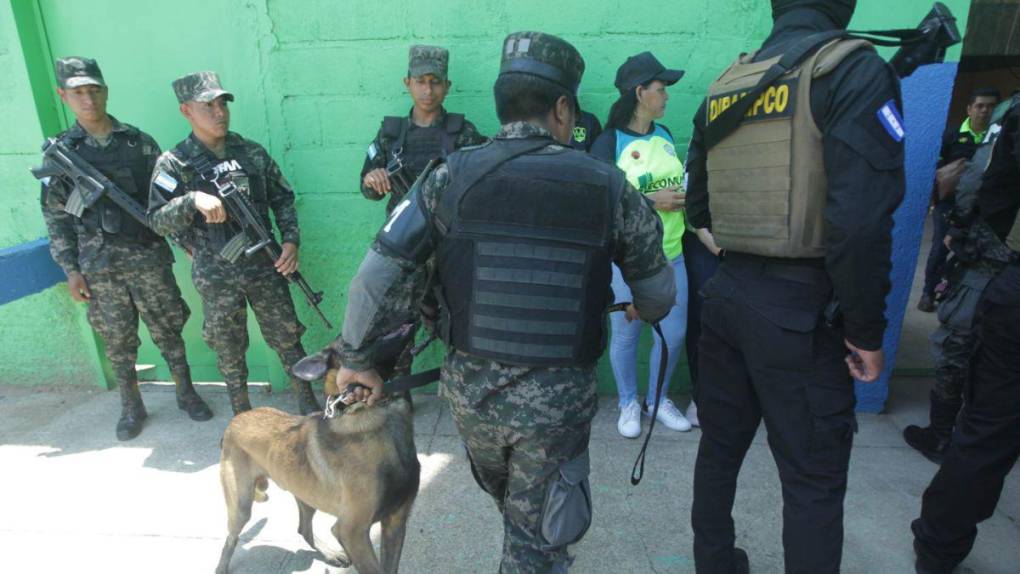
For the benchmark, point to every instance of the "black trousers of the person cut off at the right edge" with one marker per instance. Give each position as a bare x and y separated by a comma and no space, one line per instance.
987,441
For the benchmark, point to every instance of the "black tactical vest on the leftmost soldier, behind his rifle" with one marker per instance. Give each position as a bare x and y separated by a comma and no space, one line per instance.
124,163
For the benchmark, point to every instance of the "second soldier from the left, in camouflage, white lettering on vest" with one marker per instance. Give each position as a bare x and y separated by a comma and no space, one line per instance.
180,194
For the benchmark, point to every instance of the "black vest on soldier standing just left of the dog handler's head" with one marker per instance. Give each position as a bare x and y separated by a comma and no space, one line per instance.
417,147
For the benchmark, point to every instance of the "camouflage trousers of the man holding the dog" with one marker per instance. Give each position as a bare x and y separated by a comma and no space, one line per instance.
527,434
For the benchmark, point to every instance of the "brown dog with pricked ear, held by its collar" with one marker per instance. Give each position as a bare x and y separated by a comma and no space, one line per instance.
360,465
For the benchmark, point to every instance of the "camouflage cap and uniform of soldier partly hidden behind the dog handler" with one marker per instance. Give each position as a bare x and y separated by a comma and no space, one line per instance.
422,143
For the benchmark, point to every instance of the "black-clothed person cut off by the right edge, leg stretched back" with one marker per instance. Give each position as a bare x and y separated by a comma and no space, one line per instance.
987,442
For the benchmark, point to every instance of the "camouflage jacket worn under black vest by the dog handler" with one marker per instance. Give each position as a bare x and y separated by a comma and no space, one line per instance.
388,290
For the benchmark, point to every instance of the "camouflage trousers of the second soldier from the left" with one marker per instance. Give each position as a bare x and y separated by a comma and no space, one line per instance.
225,304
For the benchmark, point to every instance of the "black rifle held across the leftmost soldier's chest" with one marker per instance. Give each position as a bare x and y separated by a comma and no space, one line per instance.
89,184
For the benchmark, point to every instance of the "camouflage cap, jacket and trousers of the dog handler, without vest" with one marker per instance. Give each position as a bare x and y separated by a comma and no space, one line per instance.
523,427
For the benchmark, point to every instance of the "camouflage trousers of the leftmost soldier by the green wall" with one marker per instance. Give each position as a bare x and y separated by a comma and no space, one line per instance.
119,297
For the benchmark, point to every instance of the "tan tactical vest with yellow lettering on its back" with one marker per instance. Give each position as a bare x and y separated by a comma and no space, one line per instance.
767,181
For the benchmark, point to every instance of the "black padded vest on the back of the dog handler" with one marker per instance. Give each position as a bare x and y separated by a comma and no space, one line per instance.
525,253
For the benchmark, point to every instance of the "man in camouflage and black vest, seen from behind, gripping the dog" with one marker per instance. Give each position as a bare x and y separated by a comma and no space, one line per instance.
522,233
